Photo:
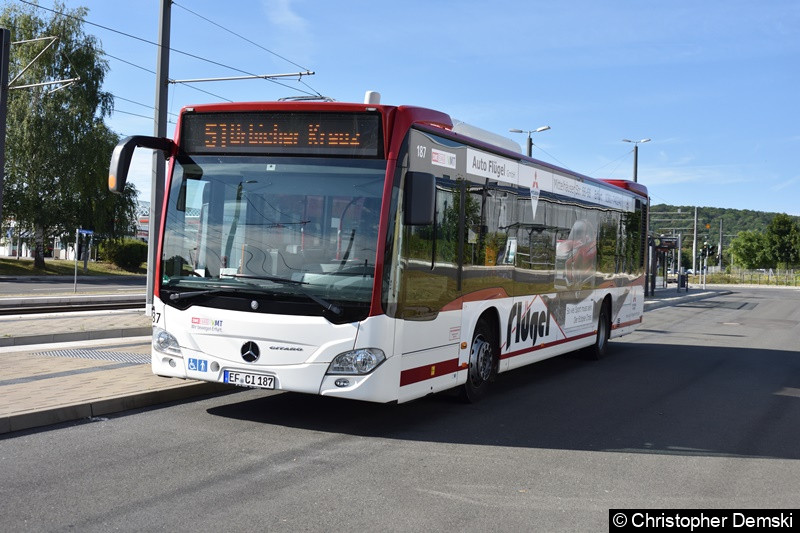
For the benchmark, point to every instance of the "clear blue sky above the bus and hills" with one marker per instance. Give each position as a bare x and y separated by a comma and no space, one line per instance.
714,84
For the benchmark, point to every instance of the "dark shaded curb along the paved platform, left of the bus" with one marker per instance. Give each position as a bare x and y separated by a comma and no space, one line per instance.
107,406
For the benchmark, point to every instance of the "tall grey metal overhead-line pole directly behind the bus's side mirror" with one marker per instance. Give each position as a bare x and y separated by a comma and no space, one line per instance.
159,164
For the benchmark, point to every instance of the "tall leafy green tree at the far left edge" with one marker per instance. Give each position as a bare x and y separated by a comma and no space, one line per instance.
57,145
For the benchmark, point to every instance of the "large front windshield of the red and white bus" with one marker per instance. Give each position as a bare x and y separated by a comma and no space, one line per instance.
282,228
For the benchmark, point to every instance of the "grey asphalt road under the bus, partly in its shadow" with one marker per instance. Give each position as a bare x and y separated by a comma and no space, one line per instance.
699,409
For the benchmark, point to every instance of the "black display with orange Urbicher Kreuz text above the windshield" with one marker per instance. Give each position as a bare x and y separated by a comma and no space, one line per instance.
283,133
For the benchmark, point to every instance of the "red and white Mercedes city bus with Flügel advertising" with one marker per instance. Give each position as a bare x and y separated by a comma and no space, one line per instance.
378,253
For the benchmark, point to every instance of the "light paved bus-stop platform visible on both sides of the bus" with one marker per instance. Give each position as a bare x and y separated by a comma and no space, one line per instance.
43,383
